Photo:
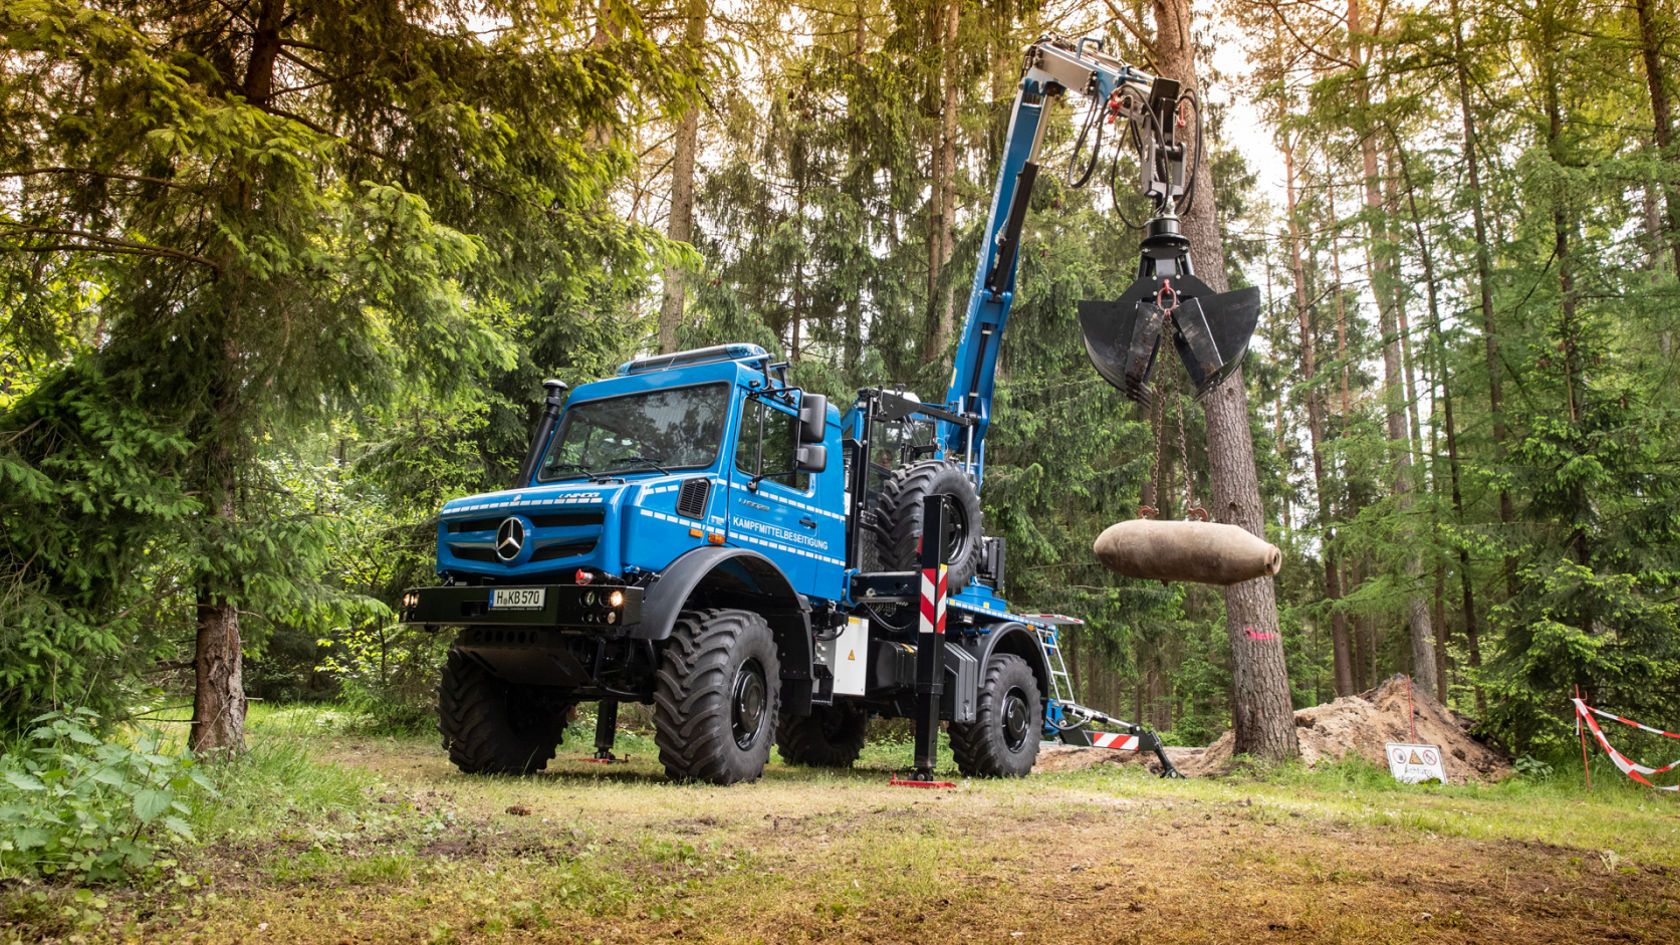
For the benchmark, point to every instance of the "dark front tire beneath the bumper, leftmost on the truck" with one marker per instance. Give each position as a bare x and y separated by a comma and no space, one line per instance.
496,727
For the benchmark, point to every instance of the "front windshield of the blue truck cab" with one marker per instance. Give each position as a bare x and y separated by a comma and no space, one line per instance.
654,431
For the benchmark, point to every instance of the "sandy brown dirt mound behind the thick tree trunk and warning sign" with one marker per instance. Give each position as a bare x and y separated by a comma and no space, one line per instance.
1352,726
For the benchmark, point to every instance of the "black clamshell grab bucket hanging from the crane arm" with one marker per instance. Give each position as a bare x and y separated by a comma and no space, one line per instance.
1210,330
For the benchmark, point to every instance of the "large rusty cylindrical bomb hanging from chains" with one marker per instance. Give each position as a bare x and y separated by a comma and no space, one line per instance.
1187,551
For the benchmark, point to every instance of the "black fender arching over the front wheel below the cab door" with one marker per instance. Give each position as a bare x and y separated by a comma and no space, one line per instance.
737,578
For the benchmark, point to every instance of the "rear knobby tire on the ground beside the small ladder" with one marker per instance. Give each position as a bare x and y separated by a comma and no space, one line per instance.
1009,722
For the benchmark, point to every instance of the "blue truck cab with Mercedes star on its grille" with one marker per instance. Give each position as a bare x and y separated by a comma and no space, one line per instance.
691,451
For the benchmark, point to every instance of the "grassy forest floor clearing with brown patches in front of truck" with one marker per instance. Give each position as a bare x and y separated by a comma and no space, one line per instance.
389,843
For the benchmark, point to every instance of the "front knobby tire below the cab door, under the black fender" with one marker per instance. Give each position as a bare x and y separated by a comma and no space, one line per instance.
717,697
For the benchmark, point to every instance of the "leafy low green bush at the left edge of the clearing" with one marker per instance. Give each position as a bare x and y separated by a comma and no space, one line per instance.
87,808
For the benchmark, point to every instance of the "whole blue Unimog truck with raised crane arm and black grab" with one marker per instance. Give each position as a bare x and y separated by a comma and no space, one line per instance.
700,536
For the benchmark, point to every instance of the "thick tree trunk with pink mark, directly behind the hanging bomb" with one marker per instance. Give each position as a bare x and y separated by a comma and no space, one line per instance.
1261,704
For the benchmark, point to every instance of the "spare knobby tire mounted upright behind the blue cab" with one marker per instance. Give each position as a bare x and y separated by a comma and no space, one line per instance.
900,519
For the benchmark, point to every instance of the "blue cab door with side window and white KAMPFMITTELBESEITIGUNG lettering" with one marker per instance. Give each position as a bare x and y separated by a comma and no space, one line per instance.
772,505
